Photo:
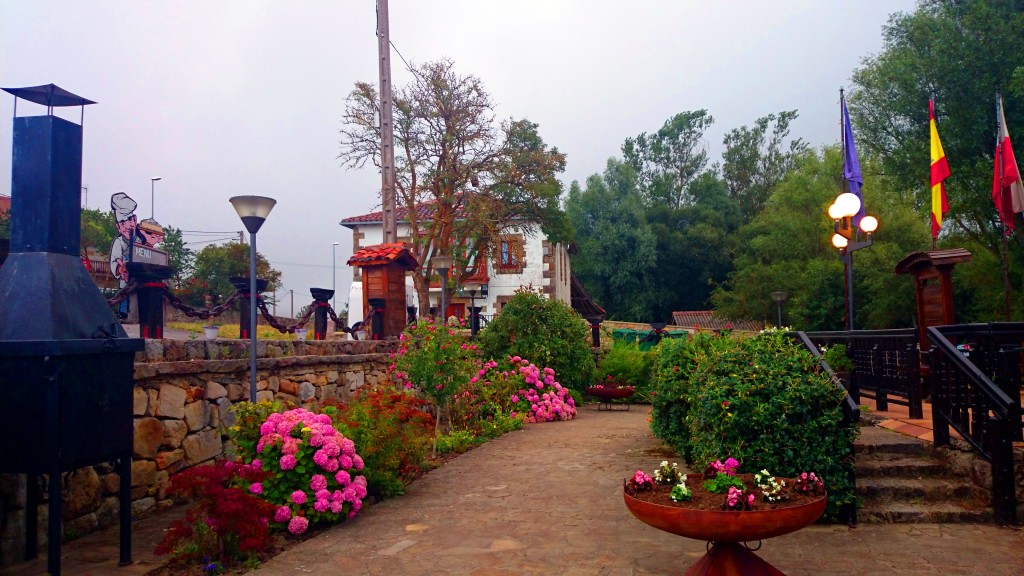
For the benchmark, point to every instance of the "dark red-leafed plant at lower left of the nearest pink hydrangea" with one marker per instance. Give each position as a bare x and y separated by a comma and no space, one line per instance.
227,522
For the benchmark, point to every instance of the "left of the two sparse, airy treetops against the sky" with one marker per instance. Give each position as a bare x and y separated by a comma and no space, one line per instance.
667,161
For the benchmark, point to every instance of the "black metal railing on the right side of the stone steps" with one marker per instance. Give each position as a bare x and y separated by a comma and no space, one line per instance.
965,399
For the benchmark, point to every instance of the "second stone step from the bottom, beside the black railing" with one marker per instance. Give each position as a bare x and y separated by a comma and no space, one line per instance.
930,490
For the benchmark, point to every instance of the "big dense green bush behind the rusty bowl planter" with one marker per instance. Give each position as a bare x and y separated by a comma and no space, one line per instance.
762,400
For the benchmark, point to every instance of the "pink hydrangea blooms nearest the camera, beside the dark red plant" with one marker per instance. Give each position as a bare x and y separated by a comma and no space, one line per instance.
295,435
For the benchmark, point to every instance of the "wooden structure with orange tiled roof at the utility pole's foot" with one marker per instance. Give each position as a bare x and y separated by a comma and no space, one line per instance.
385,268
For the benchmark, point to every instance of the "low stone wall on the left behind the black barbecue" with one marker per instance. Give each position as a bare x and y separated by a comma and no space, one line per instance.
183,398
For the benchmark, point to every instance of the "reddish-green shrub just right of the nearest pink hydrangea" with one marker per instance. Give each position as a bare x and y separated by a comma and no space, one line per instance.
392,432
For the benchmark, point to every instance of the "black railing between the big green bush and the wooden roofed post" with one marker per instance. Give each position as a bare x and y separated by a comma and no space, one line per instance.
886,366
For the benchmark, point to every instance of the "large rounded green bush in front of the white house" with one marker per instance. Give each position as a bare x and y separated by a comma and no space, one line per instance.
546,332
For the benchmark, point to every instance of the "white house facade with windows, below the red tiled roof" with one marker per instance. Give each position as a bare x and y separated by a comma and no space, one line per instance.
527,259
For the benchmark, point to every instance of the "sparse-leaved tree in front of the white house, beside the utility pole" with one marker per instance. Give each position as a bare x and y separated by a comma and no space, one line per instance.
479,178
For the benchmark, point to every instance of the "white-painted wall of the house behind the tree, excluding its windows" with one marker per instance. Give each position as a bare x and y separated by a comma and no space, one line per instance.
547,268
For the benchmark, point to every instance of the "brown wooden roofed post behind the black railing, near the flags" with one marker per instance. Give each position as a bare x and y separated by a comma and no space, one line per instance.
933,287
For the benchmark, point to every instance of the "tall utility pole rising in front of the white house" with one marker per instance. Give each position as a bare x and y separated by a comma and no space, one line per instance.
388,129
